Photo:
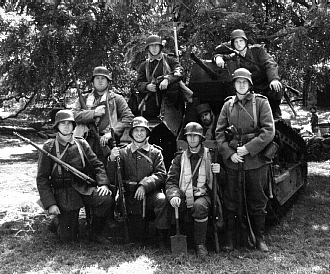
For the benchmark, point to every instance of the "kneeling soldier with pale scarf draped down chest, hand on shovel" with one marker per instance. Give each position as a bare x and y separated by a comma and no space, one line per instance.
189,183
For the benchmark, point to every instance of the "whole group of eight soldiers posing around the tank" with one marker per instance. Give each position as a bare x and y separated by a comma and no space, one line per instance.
86,136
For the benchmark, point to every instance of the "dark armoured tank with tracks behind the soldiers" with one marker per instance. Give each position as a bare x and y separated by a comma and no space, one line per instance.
210,84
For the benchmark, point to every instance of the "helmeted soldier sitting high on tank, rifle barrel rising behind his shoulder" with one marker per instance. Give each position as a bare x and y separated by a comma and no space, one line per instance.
157,76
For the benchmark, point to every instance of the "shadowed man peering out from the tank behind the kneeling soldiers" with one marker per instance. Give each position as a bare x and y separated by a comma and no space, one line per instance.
208,120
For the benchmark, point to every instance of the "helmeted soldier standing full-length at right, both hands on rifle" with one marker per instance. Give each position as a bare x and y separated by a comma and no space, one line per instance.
250,119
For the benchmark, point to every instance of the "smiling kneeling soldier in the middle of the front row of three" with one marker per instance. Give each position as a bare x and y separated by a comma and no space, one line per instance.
144,174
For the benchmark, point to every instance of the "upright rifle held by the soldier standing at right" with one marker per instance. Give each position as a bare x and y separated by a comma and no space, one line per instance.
251,239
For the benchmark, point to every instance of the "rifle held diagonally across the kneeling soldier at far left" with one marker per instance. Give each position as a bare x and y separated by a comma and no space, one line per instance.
66,166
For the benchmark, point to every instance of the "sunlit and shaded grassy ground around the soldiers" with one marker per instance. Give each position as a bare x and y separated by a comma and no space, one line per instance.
298,244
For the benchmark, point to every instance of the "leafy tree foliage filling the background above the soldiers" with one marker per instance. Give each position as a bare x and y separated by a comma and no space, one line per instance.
41,44
